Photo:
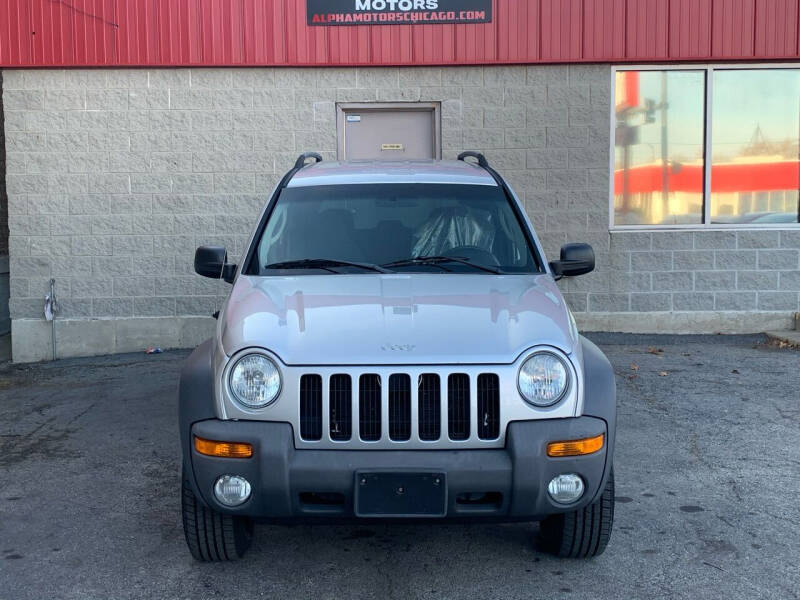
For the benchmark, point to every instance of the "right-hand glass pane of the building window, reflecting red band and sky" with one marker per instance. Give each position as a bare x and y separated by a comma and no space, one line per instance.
754,147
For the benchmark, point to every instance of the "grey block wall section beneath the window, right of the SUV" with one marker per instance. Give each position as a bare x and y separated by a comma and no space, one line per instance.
694,281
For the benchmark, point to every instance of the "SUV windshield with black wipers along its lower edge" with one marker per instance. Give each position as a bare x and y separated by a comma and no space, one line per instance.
409,227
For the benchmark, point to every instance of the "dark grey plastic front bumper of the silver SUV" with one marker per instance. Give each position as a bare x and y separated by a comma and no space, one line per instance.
508,483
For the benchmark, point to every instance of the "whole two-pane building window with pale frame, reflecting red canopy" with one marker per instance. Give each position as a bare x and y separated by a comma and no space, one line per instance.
680,160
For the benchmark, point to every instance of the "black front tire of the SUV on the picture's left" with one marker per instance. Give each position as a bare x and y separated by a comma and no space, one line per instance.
210,535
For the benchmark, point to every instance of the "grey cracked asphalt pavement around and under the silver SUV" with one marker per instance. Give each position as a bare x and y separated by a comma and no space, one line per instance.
707,469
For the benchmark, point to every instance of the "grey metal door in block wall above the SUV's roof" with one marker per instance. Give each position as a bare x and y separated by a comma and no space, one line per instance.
388,131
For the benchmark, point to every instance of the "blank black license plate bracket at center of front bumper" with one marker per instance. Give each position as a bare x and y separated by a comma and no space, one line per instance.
398,494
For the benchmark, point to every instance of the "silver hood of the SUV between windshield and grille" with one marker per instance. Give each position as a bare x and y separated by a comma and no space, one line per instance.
396,318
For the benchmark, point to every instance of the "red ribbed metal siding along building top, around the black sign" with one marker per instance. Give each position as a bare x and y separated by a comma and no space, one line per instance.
274,32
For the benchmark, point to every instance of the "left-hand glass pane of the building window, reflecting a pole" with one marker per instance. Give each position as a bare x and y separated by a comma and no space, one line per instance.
659,147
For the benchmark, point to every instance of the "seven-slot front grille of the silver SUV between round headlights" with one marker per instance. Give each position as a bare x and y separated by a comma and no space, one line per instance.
370,420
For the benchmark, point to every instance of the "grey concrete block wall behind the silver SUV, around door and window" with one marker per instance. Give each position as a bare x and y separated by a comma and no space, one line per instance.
115,176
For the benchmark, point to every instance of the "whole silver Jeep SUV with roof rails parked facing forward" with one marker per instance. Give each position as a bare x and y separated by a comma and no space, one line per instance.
395,347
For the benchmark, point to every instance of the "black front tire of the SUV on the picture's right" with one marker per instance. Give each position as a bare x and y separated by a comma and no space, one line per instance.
582,533
